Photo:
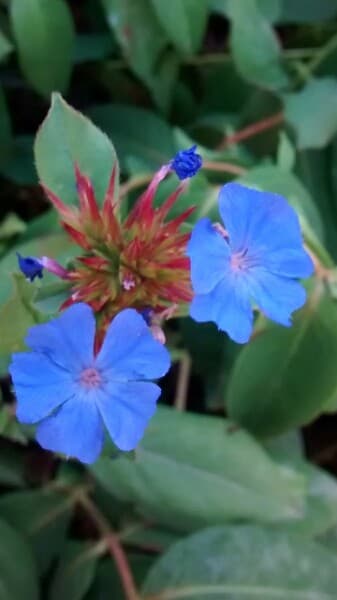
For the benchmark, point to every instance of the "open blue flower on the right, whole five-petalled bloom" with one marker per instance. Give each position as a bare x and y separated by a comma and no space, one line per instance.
257,258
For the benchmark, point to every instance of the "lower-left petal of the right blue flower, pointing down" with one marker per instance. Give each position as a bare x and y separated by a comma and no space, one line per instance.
228,306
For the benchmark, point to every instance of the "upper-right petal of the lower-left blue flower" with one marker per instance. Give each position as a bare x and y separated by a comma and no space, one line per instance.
130,351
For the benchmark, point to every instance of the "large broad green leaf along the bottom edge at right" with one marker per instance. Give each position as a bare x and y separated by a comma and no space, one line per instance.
241,562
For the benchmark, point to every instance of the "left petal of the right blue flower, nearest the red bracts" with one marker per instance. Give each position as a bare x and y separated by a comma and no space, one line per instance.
209,254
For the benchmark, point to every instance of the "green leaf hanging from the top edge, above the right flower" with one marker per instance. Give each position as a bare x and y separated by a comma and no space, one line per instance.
254,45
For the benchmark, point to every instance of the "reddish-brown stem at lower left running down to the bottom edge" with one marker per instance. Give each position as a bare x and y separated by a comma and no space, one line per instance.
113,546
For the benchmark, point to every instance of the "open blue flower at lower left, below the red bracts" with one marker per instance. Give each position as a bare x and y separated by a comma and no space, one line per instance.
71,392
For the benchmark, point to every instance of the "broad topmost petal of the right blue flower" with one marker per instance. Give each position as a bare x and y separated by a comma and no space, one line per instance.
260,221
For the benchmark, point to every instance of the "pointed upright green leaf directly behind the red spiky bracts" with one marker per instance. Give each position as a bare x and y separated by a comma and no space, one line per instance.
67,137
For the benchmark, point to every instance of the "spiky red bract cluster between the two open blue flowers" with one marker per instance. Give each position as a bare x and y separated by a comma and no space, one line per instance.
139,263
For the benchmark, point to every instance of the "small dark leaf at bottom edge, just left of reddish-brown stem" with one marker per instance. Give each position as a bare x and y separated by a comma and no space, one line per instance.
75,572
